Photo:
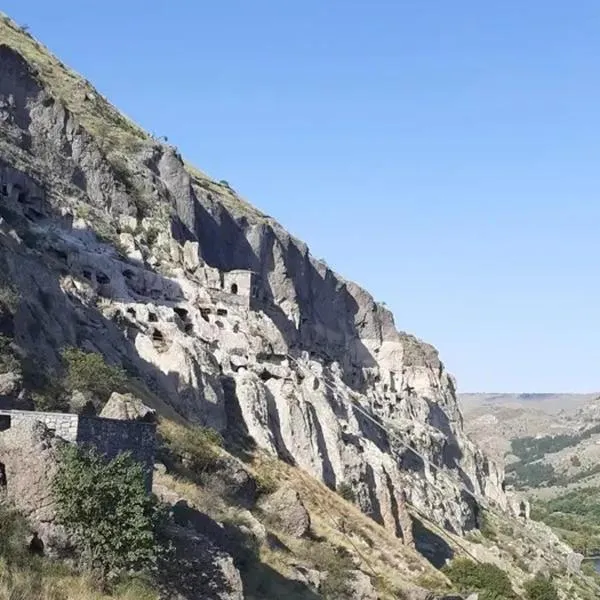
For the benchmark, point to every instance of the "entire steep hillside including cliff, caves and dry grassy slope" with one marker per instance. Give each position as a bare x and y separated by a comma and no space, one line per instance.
276,382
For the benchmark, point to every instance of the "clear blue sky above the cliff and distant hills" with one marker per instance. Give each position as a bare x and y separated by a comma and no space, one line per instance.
444,154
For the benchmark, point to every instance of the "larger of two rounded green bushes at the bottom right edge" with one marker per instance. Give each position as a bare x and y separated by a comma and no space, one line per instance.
491,581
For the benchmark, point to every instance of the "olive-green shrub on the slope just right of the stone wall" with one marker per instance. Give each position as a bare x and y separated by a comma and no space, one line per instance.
194,447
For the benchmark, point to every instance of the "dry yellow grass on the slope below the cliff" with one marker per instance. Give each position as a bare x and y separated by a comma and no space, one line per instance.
335,524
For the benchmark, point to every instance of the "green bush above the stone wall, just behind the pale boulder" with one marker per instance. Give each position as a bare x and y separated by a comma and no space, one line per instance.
87,371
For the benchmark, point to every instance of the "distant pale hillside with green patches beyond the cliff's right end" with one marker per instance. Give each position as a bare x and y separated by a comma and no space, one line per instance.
549,441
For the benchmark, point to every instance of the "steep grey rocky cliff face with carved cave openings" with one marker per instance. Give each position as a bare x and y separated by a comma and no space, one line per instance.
116,246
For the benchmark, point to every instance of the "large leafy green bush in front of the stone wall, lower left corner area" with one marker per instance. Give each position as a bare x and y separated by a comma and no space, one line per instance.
104,505
